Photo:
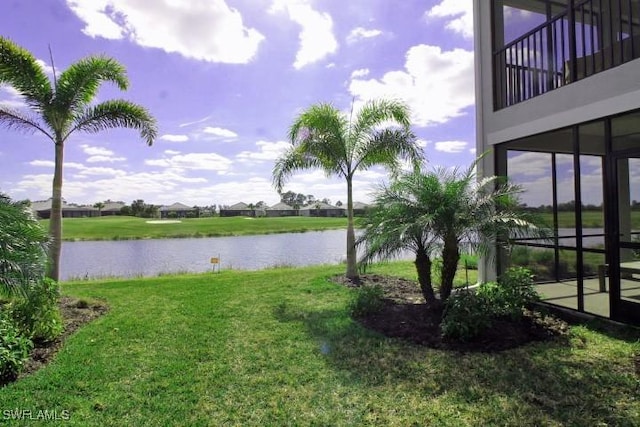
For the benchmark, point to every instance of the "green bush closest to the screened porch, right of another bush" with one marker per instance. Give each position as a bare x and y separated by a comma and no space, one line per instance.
510,295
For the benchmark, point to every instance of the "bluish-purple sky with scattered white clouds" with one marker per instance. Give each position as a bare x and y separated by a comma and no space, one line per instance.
225,79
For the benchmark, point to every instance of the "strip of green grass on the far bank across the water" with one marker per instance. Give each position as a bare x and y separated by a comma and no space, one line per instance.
126,227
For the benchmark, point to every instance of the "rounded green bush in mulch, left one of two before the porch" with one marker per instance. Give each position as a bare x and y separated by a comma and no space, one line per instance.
465,316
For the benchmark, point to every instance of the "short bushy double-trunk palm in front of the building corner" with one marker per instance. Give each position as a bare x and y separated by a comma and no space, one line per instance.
447,208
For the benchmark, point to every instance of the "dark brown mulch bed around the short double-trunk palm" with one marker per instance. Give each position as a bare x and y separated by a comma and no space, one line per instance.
406,316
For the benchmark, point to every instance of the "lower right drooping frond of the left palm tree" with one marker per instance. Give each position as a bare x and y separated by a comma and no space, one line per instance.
114,114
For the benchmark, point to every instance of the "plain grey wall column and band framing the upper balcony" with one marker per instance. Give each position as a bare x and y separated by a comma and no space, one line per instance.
609,92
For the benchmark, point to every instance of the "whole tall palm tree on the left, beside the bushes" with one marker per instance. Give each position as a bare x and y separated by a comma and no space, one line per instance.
59,108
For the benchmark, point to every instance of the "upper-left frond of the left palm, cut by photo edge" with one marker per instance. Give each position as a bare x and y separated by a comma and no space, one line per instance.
20,69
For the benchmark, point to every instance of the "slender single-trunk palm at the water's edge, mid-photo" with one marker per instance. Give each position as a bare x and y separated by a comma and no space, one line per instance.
323,137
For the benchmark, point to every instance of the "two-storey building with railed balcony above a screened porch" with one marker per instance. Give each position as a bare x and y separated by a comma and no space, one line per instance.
558,110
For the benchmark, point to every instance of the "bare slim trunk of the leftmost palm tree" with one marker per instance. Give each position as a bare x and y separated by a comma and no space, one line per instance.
55,222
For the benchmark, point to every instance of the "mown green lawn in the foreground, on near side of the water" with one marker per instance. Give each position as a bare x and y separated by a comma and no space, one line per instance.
276,347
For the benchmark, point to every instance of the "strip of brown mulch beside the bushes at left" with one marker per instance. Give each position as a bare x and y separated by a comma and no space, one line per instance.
75,313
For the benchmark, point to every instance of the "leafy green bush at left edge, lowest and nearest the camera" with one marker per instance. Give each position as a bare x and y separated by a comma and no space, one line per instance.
14,349
